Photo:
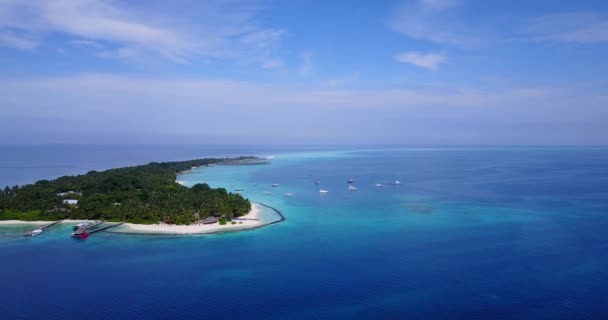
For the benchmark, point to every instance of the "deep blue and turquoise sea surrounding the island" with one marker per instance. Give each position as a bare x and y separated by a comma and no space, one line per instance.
469,234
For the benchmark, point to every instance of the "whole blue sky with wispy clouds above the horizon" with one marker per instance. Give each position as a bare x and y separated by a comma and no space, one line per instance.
418,72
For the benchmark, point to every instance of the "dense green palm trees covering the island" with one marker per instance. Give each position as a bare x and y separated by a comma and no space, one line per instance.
140,194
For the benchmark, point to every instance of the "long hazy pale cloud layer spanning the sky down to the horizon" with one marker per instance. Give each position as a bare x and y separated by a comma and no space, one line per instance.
91,107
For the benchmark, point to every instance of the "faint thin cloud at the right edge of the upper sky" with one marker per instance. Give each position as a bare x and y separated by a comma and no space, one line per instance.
577,27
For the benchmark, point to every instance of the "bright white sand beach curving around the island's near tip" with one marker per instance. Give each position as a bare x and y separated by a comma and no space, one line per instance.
244,222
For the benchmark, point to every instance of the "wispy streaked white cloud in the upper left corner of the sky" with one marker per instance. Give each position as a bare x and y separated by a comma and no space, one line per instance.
214,32
